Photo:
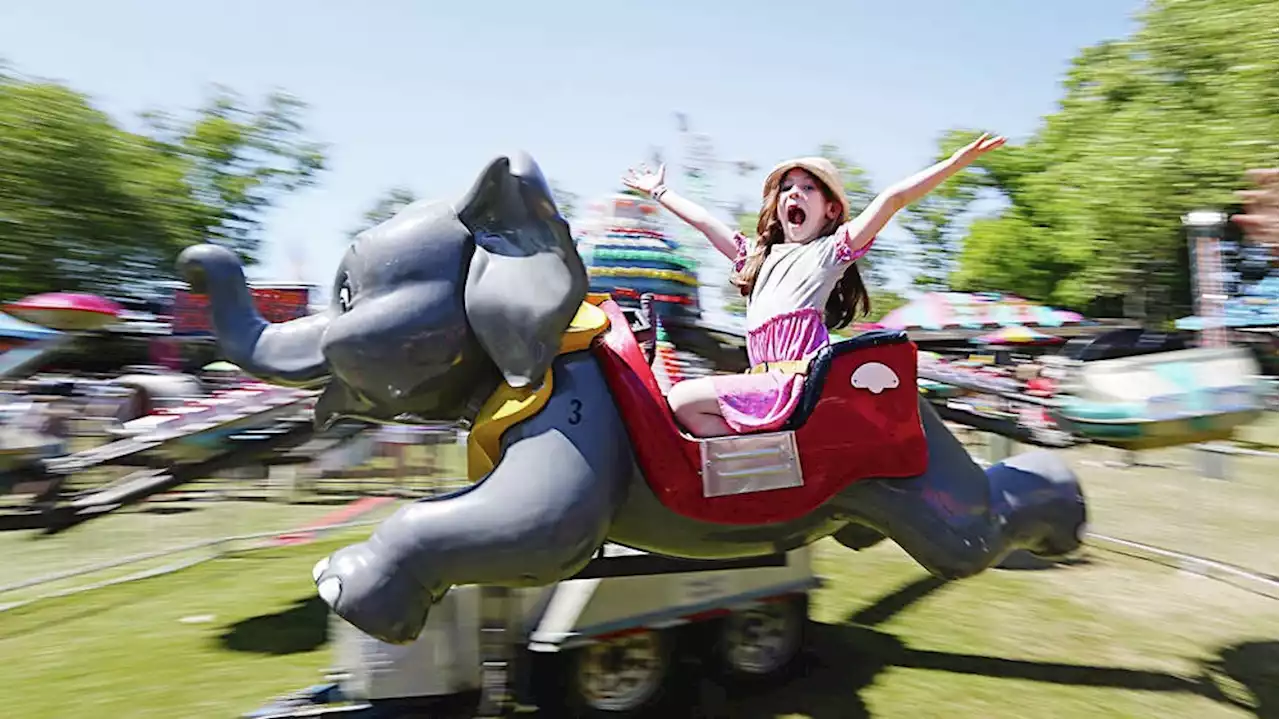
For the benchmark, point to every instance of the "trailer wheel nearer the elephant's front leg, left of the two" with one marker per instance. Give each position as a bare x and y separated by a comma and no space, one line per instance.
624,676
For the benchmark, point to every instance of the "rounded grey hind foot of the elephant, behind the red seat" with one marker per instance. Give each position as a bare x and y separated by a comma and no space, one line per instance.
1040,503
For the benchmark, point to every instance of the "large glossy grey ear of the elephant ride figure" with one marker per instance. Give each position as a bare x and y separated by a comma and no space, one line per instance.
527,280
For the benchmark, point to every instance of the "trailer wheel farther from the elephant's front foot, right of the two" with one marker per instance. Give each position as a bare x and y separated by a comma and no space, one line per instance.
762,643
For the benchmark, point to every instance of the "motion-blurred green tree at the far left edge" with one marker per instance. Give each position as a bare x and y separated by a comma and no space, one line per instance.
84,205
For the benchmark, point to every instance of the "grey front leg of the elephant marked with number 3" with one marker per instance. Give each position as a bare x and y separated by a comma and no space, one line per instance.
534,520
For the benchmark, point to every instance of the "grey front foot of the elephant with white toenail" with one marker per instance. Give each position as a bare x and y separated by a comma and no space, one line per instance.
362,587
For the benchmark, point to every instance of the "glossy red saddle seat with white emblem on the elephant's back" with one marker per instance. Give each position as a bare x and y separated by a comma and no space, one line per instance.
848,434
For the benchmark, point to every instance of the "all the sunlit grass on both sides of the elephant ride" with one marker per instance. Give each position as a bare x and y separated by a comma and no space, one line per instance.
1105,636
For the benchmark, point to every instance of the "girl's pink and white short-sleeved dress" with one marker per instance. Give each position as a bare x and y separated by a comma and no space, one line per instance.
785,323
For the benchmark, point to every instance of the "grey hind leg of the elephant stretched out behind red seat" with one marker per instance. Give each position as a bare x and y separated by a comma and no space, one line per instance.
957,520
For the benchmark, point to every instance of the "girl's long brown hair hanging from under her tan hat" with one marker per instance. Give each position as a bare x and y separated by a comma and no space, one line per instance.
847,301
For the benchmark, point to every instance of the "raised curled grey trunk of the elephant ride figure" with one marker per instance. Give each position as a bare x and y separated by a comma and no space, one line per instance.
285,354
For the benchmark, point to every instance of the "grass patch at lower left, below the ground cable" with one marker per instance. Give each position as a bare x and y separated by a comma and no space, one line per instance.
254,628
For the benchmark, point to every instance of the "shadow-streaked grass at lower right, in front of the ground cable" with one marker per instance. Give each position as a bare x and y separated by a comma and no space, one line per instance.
1107,638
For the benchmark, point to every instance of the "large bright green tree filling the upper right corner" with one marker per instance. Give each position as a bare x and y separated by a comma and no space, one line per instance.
1150,129
